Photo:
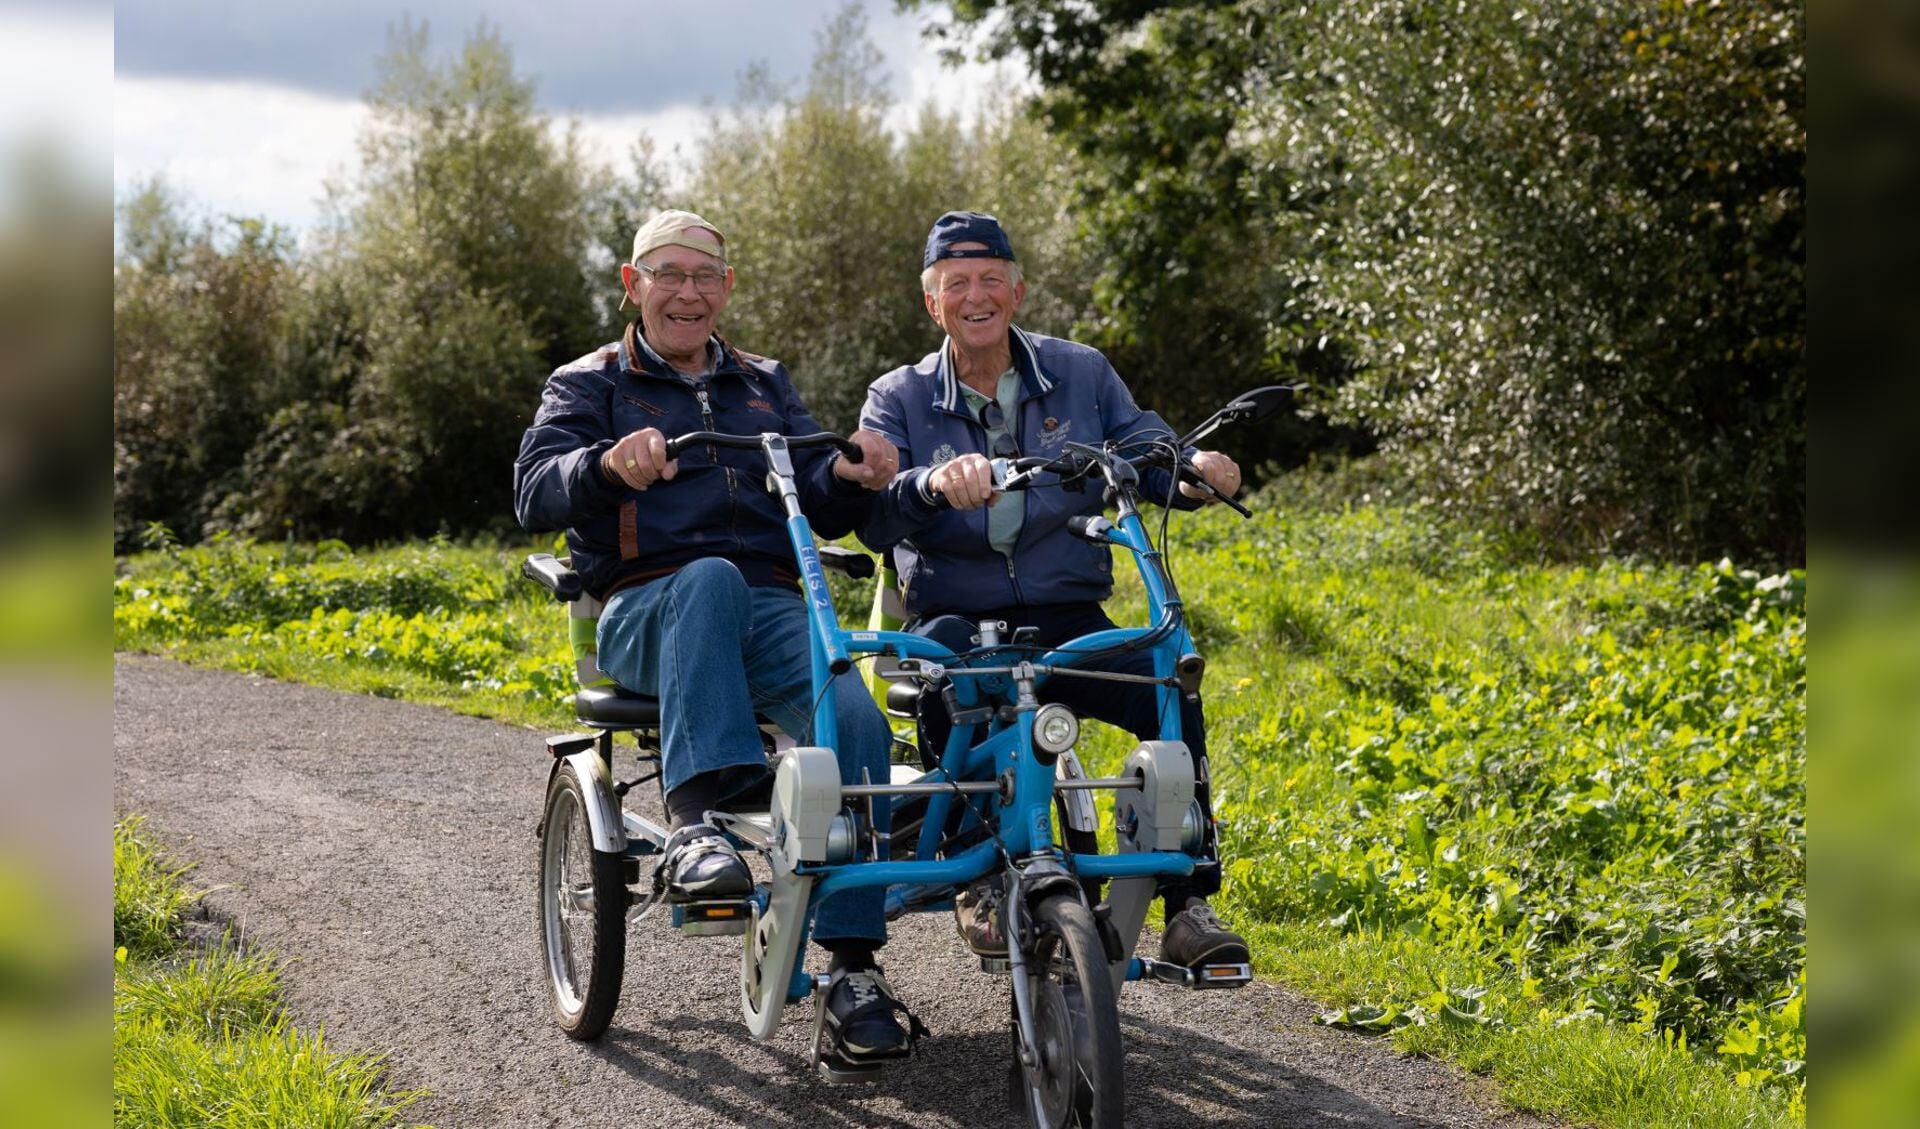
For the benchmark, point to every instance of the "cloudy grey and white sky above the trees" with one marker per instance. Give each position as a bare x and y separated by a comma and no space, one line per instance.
247,107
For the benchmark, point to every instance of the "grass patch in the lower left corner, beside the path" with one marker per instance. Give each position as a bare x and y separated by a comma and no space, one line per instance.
201,1036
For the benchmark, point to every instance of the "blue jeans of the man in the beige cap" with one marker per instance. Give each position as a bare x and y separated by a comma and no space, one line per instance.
715,652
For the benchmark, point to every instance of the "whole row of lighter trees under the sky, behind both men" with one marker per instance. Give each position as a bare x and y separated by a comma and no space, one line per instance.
375,381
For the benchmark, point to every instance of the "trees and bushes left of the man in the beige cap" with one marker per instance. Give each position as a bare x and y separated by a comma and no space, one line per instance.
373,385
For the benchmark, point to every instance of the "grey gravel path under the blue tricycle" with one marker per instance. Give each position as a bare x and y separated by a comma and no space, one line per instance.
389,853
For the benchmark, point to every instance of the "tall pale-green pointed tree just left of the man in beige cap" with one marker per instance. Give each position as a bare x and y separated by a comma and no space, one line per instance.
460,260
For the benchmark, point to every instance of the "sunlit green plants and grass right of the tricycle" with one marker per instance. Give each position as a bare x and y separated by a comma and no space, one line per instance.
1533,794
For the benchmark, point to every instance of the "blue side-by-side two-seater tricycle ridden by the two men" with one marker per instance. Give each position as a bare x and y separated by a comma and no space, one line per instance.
984,807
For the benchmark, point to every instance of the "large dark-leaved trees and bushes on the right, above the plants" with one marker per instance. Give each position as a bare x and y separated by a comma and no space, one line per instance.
1552,254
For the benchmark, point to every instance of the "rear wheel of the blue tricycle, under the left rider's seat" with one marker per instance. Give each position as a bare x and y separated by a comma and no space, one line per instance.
583,913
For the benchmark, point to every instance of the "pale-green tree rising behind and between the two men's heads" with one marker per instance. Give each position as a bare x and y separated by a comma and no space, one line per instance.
827,216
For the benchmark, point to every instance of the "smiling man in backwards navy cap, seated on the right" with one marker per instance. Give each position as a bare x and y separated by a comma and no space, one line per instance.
997,391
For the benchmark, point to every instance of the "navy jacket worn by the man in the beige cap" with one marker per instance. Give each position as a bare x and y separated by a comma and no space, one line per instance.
715,506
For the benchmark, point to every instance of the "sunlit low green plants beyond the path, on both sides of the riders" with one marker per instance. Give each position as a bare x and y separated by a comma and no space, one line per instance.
1547,821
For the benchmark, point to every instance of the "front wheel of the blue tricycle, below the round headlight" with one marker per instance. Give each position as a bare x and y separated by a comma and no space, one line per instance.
1076,1022
